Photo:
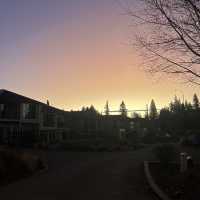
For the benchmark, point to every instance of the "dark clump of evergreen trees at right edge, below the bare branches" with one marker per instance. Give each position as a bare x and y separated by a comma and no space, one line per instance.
181,117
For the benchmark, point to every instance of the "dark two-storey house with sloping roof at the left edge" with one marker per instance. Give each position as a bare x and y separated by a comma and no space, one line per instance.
27,121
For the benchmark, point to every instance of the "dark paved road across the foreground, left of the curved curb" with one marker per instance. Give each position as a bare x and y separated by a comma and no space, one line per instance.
95,176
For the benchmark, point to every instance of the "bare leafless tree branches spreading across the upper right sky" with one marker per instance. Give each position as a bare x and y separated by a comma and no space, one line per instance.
168,33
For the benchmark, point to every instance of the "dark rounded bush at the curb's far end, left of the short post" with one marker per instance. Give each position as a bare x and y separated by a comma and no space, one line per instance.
165,153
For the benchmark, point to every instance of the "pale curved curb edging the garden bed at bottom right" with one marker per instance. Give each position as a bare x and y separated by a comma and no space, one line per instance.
156,189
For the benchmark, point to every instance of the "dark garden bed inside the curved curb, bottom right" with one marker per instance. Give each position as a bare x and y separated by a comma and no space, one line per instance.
184,186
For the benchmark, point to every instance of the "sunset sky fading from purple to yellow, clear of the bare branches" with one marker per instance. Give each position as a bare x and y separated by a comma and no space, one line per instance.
76,53
